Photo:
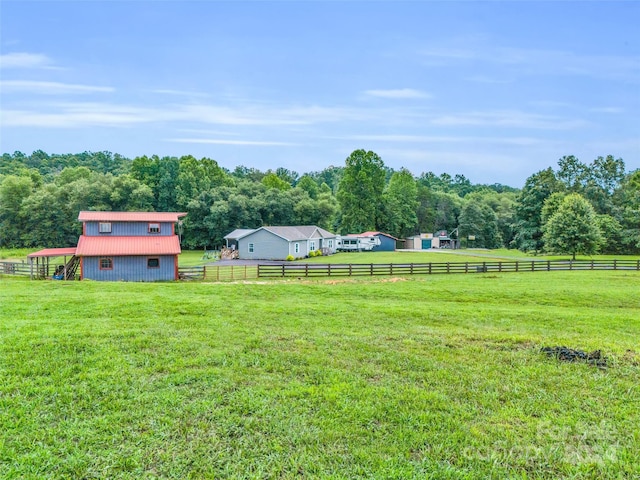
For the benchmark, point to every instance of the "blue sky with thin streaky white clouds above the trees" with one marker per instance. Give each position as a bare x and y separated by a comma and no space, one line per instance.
495,91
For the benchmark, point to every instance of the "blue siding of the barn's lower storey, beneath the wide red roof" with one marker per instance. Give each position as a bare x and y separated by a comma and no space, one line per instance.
130,269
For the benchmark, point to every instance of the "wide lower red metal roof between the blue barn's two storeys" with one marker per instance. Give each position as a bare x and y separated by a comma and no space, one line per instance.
103,246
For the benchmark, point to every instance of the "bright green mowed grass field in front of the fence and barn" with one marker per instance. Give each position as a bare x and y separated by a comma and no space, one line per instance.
437,377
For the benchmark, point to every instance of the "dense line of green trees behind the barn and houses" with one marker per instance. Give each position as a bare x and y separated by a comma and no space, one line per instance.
576,208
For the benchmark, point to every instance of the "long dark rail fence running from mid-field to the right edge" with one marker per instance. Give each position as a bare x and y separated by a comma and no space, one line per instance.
334,270
